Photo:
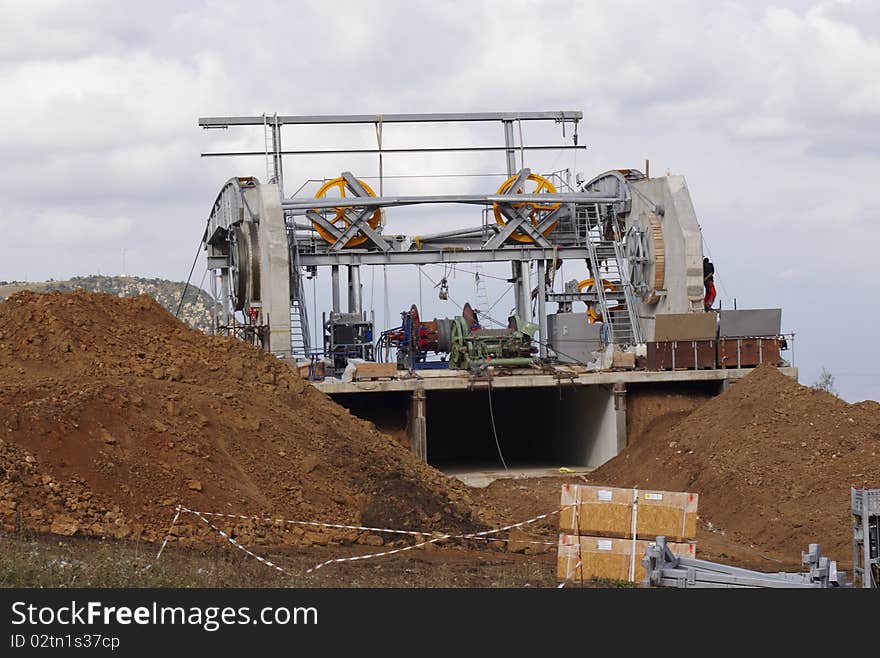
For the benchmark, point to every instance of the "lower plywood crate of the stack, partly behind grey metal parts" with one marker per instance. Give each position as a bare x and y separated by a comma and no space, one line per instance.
608,558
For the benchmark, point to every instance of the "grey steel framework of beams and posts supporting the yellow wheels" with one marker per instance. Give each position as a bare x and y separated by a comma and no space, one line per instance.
489,242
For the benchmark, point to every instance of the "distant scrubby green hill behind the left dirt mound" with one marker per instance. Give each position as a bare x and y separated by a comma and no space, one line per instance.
196,310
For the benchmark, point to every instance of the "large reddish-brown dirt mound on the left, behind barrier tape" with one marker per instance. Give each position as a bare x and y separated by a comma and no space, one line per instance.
112,412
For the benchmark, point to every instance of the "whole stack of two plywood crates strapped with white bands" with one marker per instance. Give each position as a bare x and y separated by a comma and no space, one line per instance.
605,530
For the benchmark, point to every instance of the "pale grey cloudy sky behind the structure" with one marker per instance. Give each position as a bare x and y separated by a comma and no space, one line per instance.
770,110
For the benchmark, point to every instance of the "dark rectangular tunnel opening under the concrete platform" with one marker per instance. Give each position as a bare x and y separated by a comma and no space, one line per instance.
537,427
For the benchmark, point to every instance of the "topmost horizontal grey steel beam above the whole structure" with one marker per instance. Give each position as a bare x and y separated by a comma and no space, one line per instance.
443,117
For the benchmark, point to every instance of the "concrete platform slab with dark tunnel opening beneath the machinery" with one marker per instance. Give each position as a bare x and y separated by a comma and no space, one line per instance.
563,417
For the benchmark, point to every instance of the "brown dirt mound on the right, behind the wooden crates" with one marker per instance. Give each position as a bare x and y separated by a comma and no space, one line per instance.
772,461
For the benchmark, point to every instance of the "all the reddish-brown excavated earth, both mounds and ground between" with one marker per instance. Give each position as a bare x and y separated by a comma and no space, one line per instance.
113,413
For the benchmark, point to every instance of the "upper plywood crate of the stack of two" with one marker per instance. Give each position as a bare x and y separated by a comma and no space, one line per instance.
608,512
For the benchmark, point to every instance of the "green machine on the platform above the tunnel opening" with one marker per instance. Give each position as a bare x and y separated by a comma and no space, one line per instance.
474,349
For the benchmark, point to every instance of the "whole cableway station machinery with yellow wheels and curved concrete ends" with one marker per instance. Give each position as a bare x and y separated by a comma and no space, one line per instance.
637,238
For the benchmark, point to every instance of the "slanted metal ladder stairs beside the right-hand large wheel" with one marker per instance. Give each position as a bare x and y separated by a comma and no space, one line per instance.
623,326
